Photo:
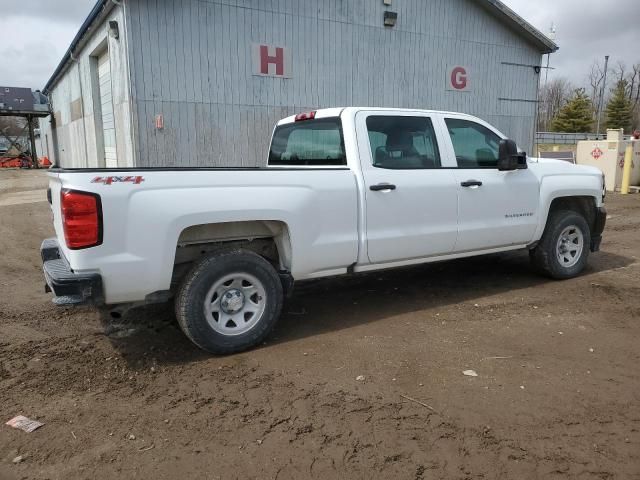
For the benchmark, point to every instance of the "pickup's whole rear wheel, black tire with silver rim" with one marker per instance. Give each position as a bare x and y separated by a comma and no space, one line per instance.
229,301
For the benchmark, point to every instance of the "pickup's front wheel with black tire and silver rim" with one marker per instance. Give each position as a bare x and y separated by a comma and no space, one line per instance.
563,250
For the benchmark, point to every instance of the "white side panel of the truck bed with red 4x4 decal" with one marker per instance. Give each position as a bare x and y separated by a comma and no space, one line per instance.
146,210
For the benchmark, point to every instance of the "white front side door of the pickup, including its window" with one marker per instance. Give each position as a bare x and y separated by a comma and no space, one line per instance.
496,209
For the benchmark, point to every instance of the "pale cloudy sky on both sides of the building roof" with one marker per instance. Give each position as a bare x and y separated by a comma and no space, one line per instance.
586,30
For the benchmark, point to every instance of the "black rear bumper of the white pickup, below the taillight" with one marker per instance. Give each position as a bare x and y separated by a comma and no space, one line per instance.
69,288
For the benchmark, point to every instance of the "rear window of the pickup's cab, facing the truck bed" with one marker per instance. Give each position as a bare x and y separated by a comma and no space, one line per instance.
308,143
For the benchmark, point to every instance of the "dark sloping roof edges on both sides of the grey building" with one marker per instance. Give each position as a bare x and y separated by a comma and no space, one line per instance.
498,9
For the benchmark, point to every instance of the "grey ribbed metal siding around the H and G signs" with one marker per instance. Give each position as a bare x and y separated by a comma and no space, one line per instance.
192,63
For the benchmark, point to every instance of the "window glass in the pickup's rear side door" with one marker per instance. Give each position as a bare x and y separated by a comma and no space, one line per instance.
403,143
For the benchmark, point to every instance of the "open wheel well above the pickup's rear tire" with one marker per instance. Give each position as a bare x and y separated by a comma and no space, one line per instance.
269,239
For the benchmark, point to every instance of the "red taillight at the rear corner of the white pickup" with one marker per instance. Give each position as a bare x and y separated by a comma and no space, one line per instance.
81,219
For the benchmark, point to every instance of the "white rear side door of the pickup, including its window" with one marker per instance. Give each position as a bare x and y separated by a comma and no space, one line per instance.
410,199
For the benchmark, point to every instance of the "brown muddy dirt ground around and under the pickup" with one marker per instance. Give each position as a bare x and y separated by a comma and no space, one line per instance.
557,394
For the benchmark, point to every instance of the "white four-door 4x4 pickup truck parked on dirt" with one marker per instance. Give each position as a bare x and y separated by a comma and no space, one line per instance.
345,191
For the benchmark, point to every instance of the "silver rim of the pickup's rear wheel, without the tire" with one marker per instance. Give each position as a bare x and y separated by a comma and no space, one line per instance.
235,304
